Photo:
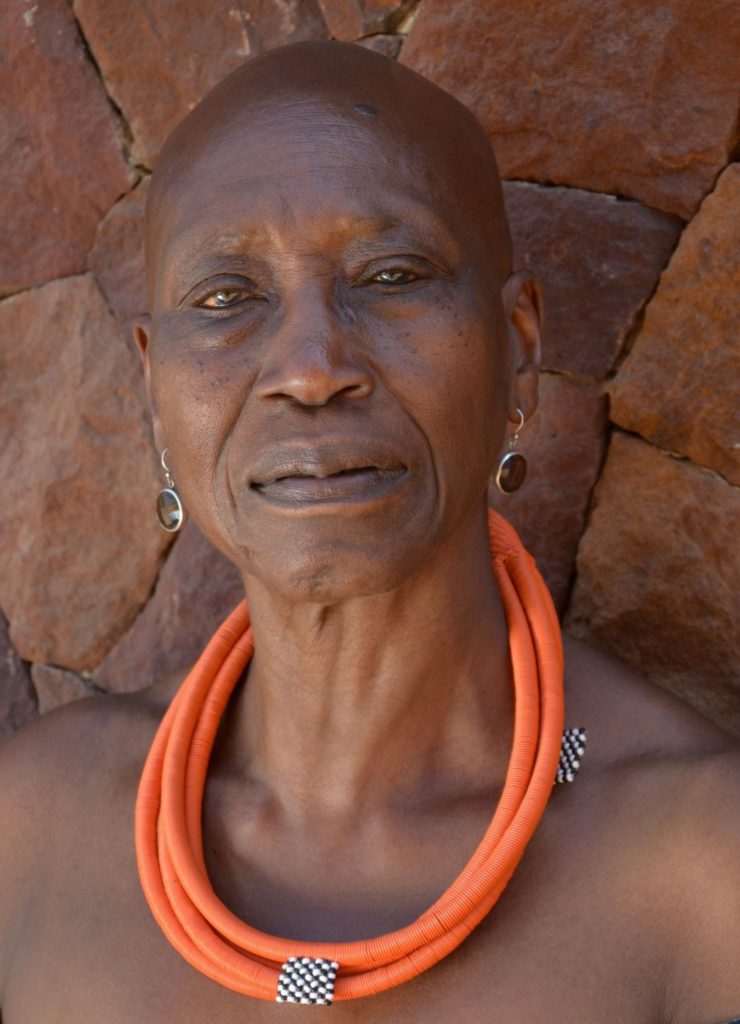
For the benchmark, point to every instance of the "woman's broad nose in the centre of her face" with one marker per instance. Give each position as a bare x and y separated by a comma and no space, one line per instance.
314,359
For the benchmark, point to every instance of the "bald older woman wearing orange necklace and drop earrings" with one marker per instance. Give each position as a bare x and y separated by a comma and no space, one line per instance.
352,798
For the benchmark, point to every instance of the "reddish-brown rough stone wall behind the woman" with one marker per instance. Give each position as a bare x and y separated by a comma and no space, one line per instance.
615,127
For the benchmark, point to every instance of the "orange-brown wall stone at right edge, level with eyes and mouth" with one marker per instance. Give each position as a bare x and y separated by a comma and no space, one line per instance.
679,387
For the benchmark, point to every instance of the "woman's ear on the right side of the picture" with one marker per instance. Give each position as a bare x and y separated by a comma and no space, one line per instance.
524,308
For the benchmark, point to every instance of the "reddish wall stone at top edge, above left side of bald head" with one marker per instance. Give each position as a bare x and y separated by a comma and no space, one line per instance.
182,53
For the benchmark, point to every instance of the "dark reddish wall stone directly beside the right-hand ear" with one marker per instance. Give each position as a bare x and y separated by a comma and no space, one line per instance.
598,260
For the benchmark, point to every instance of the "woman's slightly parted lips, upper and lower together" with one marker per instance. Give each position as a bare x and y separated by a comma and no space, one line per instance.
311,476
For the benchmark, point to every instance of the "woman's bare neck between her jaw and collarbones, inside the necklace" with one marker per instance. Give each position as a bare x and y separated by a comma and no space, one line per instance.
402,697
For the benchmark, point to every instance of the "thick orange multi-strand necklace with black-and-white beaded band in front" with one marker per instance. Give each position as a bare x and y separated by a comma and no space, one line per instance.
169,842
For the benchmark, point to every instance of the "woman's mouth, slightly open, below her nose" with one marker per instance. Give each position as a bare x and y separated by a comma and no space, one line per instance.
316,481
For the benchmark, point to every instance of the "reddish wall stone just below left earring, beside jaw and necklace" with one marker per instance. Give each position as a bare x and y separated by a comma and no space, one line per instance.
197,589
